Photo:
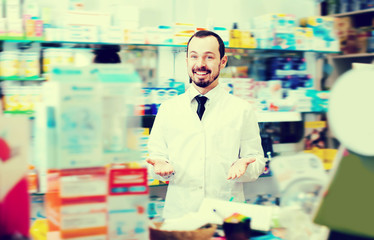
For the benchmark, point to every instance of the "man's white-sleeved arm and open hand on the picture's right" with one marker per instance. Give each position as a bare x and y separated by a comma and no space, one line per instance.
251,162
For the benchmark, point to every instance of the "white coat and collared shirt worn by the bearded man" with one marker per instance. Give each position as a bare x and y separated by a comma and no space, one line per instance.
202,152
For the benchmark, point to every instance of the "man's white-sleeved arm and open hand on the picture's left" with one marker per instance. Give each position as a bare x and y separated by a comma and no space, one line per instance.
158,150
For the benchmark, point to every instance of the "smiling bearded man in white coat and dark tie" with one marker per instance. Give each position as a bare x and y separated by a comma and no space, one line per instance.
207,157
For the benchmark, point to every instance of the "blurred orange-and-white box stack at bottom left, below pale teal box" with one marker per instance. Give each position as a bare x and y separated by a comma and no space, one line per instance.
76,204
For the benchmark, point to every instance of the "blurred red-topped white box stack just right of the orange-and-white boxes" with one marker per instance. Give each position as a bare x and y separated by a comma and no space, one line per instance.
127,204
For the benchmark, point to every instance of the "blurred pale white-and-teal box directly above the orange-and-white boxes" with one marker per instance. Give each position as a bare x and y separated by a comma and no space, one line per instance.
76,111
